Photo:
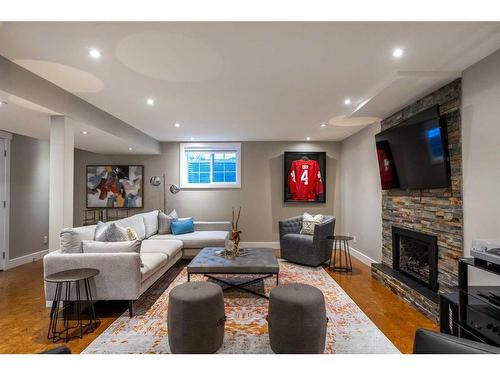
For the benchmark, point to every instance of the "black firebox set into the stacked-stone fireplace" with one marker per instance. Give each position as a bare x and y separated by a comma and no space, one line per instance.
415,255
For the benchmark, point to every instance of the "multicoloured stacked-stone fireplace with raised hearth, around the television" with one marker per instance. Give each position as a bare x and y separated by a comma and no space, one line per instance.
422,230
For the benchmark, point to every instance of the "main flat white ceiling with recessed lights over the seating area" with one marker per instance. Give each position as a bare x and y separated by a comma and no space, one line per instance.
248,81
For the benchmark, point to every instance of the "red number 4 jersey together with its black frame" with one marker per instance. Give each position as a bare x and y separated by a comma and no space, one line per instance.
305,174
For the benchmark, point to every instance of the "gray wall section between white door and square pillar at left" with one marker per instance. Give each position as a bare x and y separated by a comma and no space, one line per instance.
29,195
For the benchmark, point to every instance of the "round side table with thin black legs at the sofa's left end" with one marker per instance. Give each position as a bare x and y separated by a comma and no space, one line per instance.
65,278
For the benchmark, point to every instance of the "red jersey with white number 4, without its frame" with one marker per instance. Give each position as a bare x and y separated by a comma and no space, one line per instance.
304,180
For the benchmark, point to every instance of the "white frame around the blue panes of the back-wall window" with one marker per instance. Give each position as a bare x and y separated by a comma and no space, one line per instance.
209,147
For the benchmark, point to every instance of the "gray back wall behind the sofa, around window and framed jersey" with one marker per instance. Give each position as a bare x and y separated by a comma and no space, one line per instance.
261,194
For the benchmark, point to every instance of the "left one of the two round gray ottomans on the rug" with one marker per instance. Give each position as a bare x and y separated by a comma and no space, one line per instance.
195,318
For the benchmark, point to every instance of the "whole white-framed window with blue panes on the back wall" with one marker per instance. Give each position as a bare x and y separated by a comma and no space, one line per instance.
210,165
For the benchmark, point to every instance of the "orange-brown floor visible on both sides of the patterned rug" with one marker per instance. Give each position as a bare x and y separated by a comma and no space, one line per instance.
24,318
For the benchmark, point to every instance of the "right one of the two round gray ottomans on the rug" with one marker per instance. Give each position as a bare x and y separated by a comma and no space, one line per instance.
297,319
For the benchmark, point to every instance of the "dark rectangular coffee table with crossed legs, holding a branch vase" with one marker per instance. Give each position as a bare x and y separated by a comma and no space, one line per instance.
260,262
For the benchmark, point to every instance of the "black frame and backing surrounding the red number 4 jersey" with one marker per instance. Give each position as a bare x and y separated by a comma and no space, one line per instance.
288,159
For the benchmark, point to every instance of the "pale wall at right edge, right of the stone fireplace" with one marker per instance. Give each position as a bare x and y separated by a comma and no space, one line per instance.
481,154
